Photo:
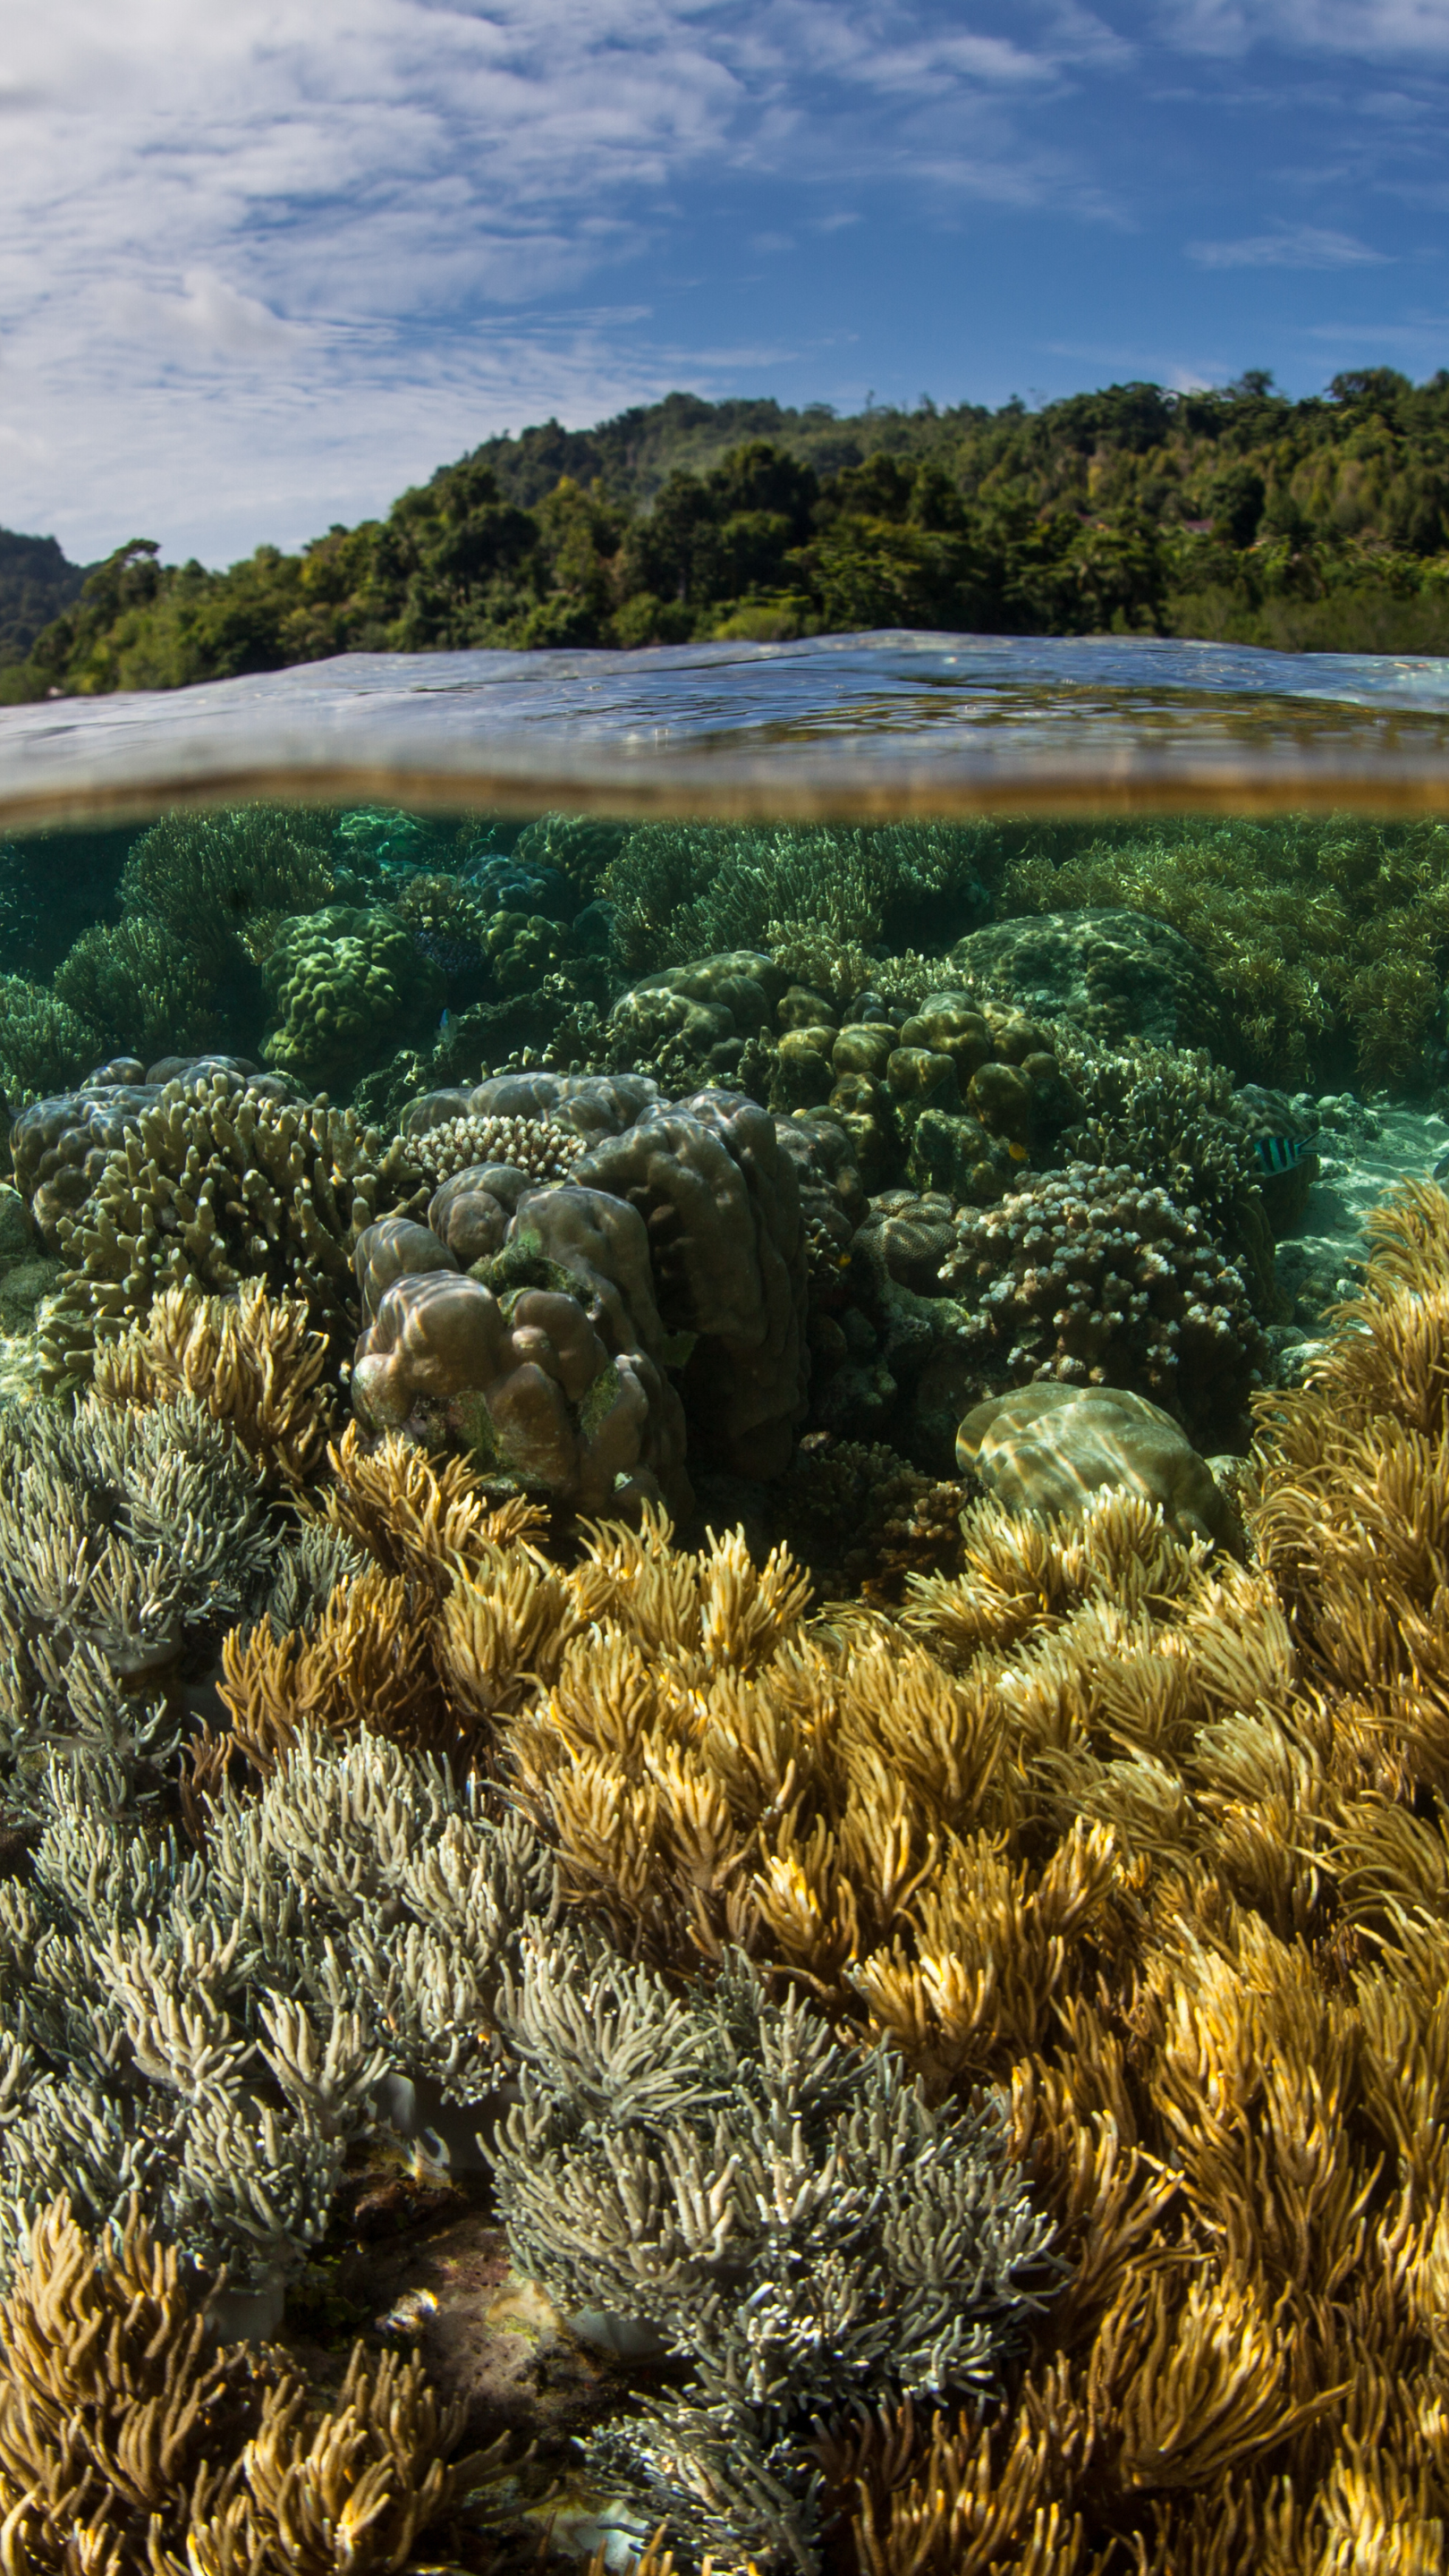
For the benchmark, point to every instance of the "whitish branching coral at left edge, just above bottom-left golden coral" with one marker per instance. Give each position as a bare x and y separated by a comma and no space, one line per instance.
208,2034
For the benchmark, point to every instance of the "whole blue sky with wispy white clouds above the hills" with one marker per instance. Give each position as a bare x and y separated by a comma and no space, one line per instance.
272,261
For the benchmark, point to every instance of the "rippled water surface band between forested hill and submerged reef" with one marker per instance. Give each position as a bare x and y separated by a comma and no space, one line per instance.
844,725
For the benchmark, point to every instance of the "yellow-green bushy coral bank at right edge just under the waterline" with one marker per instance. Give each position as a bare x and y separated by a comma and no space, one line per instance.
1329,934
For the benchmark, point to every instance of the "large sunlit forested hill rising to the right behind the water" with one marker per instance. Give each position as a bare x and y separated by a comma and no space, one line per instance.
1226,514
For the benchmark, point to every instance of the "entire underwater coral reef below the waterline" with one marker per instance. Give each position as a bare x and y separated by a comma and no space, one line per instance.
723,1774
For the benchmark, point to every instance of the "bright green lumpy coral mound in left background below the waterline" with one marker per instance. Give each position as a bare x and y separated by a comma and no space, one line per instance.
344,988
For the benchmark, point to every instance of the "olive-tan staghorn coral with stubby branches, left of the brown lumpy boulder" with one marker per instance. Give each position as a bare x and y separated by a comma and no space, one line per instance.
220,1189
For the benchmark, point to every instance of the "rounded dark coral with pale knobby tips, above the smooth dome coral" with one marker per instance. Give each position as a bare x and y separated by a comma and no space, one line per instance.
1100,1282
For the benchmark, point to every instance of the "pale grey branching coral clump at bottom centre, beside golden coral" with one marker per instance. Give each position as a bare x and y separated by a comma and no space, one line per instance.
788,2214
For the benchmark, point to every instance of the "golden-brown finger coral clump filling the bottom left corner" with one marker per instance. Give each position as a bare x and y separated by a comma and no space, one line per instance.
133,2448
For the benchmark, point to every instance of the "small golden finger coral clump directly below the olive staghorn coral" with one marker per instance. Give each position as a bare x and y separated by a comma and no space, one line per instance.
249,1359
